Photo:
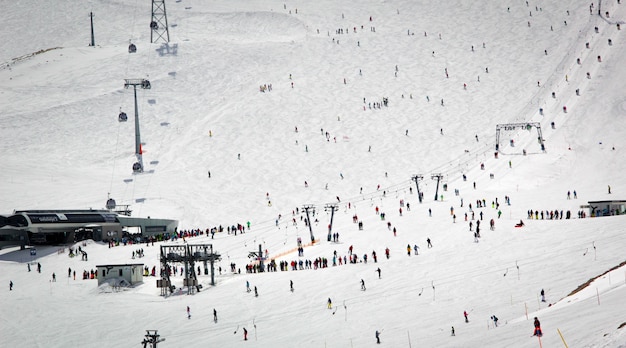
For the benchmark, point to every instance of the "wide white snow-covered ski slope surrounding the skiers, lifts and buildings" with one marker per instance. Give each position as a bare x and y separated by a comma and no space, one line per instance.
62,146
